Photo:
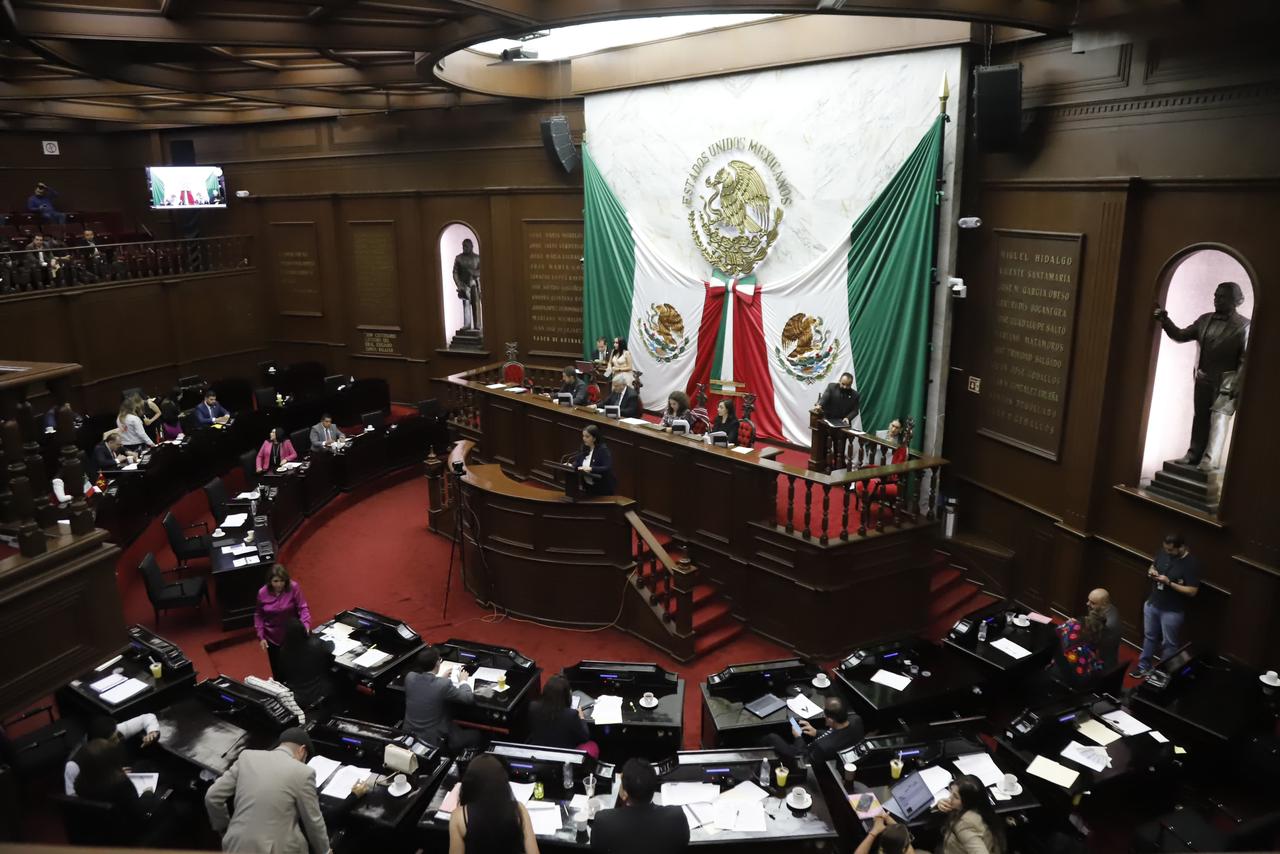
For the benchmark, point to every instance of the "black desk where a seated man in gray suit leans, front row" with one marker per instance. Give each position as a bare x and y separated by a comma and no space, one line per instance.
502,713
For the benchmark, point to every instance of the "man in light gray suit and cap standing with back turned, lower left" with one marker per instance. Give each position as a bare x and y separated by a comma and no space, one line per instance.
277,803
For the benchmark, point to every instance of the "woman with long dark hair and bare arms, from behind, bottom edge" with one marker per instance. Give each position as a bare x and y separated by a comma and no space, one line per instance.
490,820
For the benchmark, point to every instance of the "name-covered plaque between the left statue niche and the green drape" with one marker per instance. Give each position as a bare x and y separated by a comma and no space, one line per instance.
554,253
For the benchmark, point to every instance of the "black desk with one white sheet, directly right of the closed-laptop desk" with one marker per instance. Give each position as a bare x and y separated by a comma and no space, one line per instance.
943,683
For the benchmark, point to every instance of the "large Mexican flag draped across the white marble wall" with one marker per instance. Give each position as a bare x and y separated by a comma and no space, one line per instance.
862,308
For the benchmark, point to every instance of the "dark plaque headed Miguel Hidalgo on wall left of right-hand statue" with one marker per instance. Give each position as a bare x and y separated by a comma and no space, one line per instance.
1030,350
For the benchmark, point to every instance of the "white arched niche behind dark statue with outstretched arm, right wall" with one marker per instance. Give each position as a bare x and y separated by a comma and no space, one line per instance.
1187,286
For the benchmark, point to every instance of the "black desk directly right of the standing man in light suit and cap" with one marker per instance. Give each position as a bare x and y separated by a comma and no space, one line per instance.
364,746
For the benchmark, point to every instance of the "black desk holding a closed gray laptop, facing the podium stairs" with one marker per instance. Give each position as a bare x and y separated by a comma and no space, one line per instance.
726,720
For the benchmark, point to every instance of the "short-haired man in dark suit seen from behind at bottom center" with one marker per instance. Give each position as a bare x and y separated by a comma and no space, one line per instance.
636,826
